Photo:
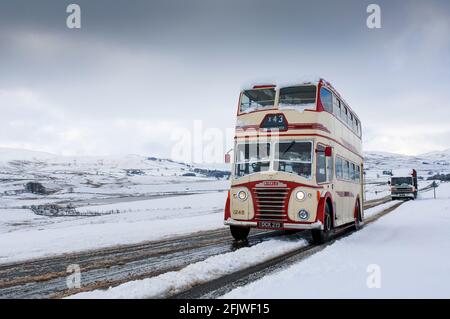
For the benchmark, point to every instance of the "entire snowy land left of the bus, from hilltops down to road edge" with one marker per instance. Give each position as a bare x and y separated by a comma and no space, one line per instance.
145,195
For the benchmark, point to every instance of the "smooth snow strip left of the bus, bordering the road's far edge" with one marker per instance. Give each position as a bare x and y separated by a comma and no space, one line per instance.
24,235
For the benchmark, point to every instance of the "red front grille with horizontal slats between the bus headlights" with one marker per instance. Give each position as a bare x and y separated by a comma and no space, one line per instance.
271,203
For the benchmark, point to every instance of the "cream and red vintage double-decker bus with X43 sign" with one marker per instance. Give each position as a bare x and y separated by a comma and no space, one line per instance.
298,162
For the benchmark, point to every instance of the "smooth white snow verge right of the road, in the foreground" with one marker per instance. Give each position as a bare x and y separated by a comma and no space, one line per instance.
402,255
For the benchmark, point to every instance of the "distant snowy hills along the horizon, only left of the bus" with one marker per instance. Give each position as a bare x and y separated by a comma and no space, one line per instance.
24,164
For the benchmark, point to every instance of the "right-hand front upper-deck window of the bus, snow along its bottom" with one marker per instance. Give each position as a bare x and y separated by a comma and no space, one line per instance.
298,97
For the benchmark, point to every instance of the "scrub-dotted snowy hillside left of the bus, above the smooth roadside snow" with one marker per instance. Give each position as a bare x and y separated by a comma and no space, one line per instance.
72,179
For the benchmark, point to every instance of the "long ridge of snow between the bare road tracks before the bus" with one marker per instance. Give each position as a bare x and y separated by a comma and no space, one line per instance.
209,269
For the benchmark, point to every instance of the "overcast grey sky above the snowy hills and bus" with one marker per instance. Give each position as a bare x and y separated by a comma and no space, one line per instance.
137,70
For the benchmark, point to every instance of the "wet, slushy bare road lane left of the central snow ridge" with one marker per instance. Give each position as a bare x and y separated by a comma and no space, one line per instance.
46,278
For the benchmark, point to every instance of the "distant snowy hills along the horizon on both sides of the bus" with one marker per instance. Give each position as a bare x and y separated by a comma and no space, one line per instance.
25,162
